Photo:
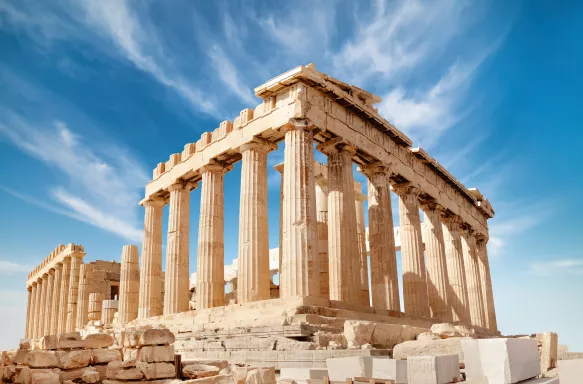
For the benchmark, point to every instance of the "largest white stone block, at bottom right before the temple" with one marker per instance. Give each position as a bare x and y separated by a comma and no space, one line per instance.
501,360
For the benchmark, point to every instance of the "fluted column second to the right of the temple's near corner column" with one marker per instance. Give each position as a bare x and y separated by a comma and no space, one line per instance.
383,258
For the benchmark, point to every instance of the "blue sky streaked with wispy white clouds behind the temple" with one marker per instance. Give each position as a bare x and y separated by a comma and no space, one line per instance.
95,93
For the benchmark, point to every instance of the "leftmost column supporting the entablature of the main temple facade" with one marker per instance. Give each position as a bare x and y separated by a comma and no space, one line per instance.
150,297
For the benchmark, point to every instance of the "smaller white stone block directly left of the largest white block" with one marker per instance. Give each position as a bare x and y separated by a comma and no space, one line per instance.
433,369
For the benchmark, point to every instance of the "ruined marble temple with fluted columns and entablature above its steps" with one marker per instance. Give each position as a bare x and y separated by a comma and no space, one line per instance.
323,255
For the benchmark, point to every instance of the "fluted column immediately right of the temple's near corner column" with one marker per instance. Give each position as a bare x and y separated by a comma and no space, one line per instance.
343,248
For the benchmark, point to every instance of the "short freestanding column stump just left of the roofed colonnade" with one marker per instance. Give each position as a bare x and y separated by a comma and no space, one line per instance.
129,284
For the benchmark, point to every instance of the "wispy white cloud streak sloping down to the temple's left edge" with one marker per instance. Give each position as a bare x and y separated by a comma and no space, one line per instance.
103,187
